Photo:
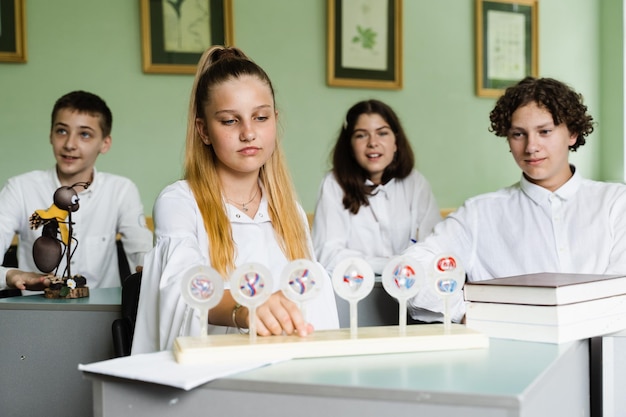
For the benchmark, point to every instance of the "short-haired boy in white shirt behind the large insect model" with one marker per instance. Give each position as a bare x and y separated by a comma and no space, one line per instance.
109,205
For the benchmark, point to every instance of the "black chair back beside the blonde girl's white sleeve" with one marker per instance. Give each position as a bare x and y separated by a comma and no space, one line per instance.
124,327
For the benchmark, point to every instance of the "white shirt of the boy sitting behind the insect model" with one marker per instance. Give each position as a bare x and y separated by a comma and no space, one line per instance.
110,205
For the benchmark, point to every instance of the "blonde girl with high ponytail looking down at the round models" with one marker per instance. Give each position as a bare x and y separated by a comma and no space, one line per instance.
236,204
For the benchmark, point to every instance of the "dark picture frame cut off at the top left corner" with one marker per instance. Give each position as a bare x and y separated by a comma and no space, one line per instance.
13,31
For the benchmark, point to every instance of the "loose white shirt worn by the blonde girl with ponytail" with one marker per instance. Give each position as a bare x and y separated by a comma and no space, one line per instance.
182,243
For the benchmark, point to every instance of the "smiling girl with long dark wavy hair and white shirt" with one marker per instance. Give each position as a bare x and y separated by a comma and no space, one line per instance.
373,204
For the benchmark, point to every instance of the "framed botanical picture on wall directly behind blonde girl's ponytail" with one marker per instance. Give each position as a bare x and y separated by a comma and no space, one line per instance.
175,34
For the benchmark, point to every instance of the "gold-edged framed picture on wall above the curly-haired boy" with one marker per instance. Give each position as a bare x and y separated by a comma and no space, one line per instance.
507,41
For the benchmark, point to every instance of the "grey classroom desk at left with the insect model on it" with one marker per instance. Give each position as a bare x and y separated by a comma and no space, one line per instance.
42,341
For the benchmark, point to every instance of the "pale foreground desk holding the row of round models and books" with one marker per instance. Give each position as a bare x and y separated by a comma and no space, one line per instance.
511,378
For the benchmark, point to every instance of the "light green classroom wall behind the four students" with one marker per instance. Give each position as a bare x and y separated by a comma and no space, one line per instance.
96,46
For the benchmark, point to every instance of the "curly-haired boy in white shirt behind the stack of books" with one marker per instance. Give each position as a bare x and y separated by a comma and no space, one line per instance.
552,220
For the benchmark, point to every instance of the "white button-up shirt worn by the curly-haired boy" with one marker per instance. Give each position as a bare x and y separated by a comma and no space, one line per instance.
524,229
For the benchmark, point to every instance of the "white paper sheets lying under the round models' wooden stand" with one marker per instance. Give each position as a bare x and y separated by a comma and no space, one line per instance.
162,368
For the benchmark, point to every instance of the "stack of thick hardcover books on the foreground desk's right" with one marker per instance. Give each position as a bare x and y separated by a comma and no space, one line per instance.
547,307
